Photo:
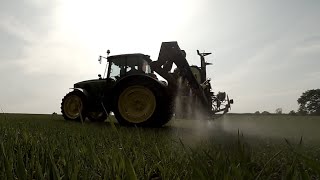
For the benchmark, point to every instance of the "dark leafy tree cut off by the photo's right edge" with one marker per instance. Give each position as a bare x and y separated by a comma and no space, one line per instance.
309,102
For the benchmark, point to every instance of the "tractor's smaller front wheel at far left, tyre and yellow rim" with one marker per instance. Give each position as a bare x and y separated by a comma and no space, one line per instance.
73,106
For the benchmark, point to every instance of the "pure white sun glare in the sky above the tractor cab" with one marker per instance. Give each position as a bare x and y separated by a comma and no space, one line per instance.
126,25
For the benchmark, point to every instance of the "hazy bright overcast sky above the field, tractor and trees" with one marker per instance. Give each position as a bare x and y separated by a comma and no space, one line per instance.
265,53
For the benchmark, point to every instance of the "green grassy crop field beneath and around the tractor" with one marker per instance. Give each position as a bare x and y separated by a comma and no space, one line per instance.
231,147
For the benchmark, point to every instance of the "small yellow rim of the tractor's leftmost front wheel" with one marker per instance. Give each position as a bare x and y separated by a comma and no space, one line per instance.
73,106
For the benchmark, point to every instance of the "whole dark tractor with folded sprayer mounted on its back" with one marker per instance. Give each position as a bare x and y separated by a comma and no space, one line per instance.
137,96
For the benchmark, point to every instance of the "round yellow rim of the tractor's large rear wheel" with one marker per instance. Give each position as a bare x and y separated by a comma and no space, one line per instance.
136,104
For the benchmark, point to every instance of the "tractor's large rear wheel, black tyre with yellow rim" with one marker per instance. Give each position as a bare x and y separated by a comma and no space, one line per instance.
142,101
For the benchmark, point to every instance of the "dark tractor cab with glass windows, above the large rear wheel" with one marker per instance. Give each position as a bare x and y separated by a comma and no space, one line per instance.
128,64
